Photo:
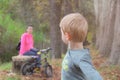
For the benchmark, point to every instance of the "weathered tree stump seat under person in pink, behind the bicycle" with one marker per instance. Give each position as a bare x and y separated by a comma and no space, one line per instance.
18,61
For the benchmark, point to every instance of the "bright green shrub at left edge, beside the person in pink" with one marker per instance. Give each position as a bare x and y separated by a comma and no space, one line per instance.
10,36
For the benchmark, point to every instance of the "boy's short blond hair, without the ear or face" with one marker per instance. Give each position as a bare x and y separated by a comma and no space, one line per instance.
76,25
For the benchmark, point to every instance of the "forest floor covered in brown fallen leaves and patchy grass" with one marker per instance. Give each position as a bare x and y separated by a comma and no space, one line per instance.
110,72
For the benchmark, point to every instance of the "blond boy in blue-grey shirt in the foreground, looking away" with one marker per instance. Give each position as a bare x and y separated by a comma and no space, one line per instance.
77,63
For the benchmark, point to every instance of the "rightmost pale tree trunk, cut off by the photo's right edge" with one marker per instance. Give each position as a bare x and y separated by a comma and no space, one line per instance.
115,52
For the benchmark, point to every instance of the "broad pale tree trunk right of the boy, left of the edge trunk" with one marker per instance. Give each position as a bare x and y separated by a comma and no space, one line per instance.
105,15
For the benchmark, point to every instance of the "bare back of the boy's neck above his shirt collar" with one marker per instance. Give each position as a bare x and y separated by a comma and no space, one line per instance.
75,45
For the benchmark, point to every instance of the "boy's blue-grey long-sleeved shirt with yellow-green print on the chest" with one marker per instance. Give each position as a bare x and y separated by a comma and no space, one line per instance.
77,65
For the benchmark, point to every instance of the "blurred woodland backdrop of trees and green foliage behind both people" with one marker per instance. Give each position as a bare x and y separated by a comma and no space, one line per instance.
103,17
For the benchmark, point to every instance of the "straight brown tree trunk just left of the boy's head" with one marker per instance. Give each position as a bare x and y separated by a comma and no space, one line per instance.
55,14
